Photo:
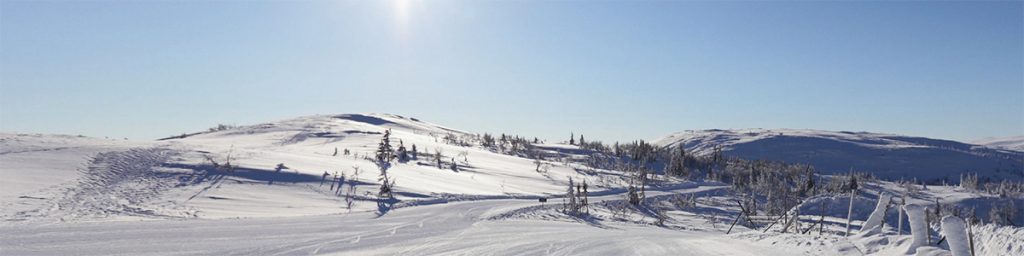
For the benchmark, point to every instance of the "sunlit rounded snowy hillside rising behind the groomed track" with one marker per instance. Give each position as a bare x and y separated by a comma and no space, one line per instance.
175,179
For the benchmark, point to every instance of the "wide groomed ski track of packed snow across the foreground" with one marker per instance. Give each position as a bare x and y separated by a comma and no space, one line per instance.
455,229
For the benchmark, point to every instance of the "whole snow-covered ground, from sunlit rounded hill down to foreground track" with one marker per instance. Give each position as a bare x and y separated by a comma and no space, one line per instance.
69,195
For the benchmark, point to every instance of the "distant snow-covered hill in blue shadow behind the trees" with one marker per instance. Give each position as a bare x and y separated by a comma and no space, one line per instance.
887,156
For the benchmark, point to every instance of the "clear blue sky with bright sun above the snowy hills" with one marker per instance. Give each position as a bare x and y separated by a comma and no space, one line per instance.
611,70
